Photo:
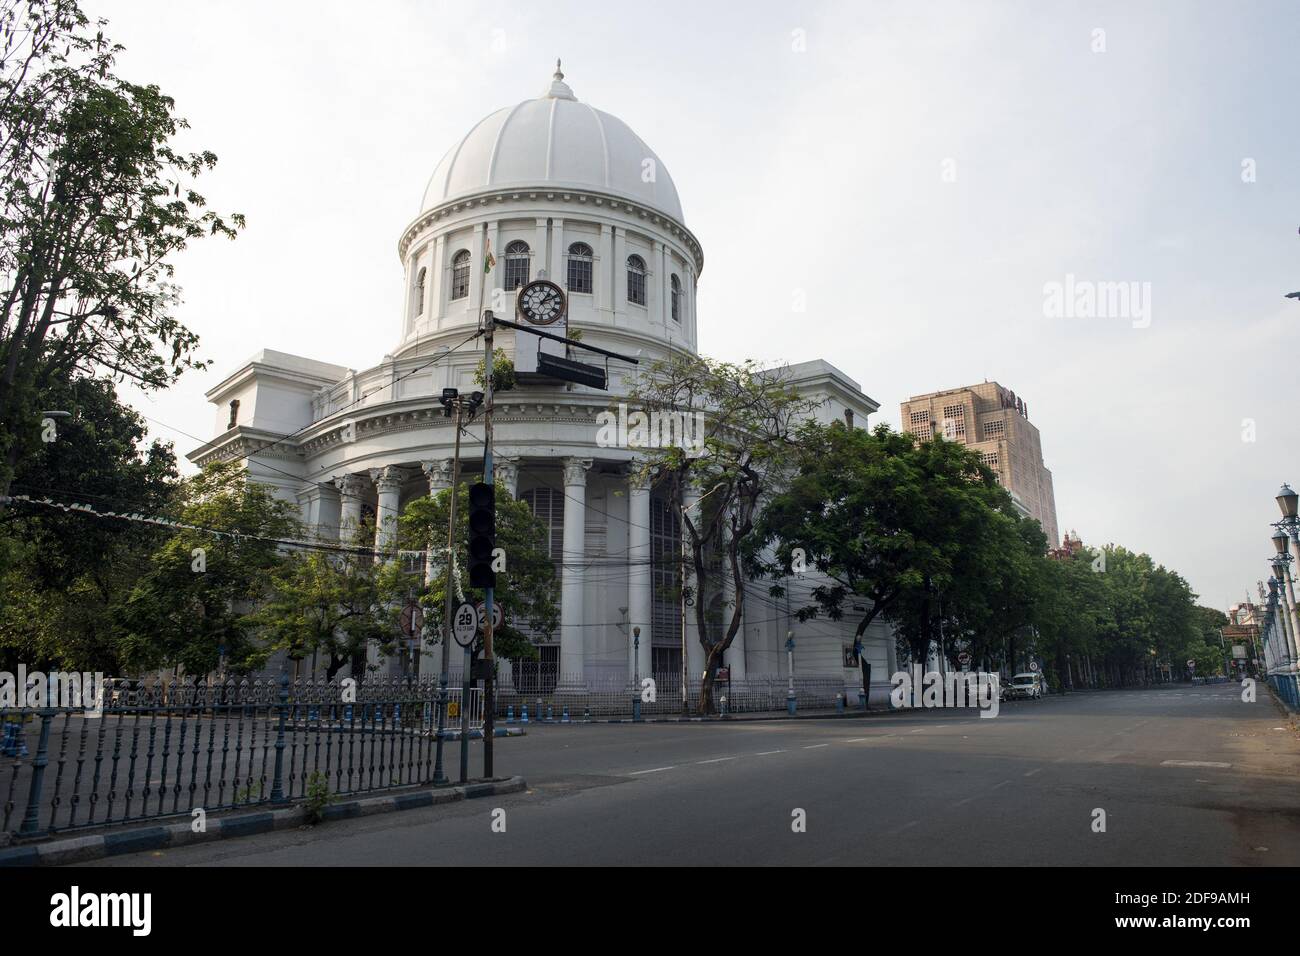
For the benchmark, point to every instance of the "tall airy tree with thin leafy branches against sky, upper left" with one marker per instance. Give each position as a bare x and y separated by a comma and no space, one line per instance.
94,202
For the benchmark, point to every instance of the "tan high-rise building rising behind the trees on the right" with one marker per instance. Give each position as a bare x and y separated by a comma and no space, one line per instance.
996,425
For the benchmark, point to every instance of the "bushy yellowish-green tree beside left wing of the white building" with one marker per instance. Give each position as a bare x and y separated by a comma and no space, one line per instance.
194,607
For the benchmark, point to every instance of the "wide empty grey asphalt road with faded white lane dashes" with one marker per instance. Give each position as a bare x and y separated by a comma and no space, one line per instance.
1186,777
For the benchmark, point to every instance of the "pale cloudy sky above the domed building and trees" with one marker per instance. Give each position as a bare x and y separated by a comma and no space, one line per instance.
918,175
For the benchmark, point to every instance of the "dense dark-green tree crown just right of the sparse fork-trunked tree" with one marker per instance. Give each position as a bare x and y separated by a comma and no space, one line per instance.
918,534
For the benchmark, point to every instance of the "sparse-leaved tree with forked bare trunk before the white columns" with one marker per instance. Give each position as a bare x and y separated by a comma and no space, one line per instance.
751,416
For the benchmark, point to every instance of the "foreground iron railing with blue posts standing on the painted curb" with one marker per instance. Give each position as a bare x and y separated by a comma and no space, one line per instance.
171,749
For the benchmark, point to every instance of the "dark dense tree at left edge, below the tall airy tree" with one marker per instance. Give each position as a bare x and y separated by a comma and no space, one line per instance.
63,574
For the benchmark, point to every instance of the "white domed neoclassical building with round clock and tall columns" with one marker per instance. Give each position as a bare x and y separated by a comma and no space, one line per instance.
561,191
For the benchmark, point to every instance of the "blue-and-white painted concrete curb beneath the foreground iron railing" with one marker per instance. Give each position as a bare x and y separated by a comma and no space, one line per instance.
75,850
